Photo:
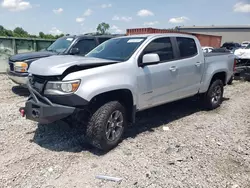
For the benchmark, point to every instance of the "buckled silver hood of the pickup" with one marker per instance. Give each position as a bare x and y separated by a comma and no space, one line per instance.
56,65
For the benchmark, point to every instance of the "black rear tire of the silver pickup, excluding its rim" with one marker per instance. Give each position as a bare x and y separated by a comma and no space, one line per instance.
207,99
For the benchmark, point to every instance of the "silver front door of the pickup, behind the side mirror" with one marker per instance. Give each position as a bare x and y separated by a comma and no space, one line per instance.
158,83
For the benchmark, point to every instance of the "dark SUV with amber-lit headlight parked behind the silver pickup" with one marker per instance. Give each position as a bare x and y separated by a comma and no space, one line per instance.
17,70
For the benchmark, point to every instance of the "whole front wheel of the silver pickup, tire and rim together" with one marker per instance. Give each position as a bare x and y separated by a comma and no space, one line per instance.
106,126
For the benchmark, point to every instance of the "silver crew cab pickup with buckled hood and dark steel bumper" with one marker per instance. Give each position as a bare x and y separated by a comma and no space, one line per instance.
105,89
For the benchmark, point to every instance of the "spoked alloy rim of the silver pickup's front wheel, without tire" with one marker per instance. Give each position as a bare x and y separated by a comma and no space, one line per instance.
114,126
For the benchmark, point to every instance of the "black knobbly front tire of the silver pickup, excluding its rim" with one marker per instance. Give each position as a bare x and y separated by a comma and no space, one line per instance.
96,127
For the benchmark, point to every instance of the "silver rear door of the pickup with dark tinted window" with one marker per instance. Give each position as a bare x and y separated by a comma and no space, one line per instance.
190,65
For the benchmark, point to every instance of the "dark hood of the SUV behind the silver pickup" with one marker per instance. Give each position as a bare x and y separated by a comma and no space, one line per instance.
30,55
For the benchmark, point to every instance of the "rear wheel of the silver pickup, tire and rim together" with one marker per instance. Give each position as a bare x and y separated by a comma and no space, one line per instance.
214,96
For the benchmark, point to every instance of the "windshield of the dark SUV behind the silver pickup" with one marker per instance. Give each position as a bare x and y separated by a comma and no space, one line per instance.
60,45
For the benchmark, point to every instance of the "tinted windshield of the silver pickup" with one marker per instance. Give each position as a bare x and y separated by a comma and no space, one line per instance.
117,49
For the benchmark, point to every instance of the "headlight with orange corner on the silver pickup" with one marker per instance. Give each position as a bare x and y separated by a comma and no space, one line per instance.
61,88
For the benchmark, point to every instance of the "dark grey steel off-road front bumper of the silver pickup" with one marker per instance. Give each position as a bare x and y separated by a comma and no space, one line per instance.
38,108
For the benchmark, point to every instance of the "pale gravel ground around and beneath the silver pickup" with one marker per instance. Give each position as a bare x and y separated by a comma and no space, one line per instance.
175,145
